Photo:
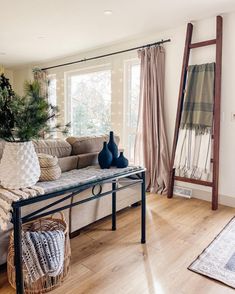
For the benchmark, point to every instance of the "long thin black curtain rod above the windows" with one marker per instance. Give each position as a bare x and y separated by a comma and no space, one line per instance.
106,55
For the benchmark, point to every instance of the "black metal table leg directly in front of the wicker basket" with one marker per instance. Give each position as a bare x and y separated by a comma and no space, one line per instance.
18,250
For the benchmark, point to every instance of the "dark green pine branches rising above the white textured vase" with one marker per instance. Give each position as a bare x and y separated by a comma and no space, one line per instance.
25,118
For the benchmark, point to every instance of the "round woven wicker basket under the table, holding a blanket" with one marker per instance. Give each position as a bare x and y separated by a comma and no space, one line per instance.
46,283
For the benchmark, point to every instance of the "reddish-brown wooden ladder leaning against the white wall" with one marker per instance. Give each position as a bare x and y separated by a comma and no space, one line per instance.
216,125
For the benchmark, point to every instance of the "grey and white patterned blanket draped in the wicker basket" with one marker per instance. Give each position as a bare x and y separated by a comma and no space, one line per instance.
43,253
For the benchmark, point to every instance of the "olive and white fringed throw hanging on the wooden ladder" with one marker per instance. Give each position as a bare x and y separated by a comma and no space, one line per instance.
193,152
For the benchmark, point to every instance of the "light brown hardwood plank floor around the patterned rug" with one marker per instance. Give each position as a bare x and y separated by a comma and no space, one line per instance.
115,262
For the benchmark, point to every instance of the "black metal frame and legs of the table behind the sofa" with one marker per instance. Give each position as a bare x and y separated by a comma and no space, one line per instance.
131,178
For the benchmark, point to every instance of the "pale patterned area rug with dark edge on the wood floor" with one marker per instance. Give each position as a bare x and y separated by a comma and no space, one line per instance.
217,261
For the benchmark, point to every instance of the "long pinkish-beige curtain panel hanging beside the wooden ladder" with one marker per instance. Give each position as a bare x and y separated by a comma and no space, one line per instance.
151,148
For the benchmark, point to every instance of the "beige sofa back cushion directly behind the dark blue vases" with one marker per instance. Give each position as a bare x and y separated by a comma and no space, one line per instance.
91,144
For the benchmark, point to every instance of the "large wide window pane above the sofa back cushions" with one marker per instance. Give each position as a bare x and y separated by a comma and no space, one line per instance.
89,94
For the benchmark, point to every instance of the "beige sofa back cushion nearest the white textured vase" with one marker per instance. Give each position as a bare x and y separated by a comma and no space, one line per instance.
55,147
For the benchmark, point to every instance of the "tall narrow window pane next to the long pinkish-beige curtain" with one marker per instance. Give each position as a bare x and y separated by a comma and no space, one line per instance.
131,105
